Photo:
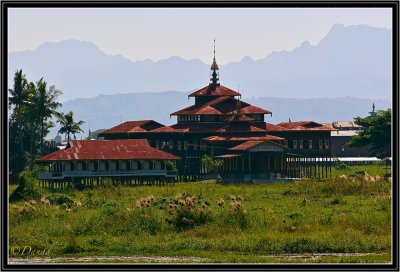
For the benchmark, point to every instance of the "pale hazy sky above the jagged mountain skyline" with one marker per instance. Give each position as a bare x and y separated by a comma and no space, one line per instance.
159,33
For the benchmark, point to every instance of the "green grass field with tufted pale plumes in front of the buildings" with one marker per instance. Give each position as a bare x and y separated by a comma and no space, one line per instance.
256,223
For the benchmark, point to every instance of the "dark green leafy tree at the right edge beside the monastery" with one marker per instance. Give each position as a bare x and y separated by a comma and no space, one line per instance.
377,134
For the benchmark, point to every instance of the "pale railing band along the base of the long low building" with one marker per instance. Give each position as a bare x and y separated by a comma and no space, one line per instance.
64,174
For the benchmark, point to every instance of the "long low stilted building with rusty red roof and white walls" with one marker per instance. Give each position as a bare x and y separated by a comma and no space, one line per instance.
106,158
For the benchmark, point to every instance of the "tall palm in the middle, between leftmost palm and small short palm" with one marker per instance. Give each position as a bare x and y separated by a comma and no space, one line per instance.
46,105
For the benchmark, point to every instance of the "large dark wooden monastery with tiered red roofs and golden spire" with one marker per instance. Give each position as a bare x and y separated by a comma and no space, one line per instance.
220,125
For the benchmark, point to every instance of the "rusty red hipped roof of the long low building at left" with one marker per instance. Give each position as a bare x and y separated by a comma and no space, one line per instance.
108,150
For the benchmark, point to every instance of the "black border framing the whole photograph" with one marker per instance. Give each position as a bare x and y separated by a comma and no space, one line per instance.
394,5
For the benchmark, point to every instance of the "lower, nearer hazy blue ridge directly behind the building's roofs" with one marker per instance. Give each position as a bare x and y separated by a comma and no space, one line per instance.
106,111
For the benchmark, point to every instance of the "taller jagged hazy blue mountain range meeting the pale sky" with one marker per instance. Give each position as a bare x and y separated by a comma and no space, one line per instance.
348,61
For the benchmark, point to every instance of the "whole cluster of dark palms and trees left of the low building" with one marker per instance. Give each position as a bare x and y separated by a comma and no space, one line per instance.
34,106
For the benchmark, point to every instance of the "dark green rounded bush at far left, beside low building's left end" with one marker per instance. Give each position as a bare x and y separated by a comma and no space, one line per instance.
26,189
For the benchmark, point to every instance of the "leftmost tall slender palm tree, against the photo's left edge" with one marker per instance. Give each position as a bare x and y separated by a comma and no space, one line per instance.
18,98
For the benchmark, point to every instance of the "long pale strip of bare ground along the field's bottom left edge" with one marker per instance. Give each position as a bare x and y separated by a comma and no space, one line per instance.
96,259
